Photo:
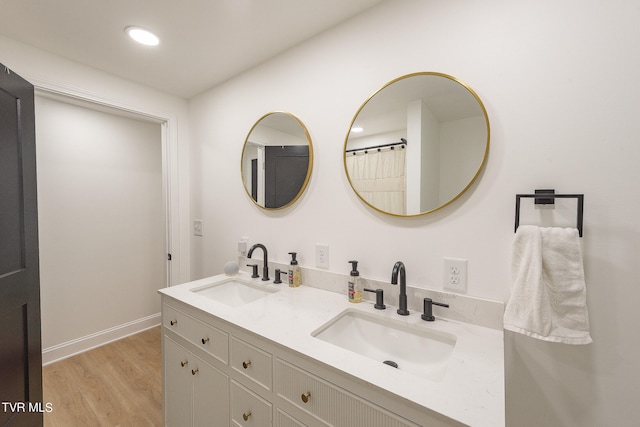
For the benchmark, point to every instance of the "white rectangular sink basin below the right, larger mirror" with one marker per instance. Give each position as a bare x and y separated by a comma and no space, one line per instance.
415,349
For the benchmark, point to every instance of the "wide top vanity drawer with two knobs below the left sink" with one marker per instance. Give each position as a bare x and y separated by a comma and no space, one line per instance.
206,337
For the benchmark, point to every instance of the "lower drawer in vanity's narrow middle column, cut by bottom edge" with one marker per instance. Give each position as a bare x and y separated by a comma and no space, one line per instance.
248,409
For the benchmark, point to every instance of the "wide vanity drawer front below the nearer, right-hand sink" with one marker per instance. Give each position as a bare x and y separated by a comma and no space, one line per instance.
328,403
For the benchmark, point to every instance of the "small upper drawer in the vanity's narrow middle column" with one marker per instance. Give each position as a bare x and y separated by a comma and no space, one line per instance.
252,362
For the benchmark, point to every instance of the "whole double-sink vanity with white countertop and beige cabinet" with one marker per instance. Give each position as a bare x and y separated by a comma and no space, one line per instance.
245,352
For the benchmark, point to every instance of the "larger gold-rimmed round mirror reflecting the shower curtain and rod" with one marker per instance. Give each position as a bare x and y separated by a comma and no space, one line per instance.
416,144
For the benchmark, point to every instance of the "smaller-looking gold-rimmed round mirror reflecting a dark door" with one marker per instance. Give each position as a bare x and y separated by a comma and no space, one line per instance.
276,160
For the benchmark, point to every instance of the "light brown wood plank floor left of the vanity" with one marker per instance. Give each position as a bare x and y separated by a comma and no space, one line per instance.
118,384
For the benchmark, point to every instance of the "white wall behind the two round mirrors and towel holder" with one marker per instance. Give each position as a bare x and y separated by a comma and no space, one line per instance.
559,81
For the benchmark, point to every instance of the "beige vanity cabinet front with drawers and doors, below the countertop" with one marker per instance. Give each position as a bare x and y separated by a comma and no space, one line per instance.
218,374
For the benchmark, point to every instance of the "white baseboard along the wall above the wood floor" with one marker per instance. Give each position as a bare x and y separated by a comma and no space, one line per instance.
82,344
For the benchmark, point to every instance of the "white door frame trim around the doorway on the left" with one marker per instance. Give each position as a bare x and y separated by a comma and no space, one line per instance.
169,141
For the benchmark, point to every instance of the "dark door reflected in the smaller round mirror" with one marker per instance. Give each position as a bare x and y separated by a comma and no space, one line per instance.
285,170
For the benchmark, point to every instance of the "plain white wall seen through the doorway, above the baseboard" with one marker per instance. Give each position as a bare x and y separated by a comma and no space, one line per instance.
101,220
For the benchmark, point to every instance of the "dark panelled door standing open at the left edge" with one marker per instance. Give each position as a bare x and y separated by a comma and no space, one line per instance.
20,345
